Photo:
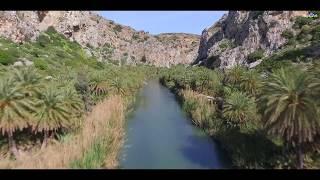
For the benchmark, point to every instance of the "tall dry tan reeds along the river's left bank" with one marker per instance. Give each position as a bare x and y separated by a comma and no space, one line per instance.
106,121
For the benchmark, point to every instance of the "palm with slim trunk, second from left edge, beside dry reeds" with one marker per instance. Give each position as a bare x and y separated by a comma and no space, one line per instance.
52,113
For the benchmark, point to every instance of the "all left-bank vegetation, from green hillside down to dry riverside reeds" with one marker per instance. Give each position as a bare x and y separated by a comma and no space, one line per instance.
40,104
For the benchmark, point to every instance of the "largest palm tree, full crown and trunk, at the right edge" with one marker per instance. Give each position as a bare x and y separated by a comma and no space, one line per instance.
289,108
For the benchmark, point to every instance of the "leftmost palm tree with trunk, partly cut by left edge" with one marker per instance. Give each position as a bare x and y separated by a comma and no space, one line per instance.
15,110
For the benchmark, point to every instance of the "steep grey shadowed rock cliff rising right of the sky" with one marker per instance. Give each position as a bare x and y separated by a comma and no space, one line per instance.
240,33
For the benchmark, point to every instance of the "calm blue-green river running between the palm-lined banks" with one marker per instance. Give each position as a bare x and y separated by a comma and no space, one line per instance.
160,136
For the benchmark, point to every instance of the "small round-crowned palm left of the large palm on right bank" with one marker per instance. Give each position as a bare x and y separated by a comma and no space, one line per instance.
239,109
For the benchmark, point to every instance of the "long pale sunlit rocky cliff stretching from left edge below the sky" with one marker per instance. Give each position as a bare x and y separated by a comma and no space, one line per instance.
102,37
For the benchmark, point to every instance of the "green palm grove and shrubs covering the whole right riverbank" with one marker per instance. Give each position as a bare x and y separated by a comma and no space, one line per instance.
265,117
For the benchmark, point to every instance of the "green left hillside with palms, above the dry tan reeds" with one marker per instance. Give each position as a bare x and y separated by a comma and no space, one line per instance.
51,98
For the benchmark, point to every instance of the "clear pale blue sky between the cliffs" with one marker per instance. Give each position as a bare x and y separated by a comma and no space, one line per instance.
156,22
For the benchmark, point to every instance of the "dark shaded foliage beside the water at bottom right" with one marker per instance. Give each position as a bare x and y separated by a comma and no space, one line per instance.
250,150
